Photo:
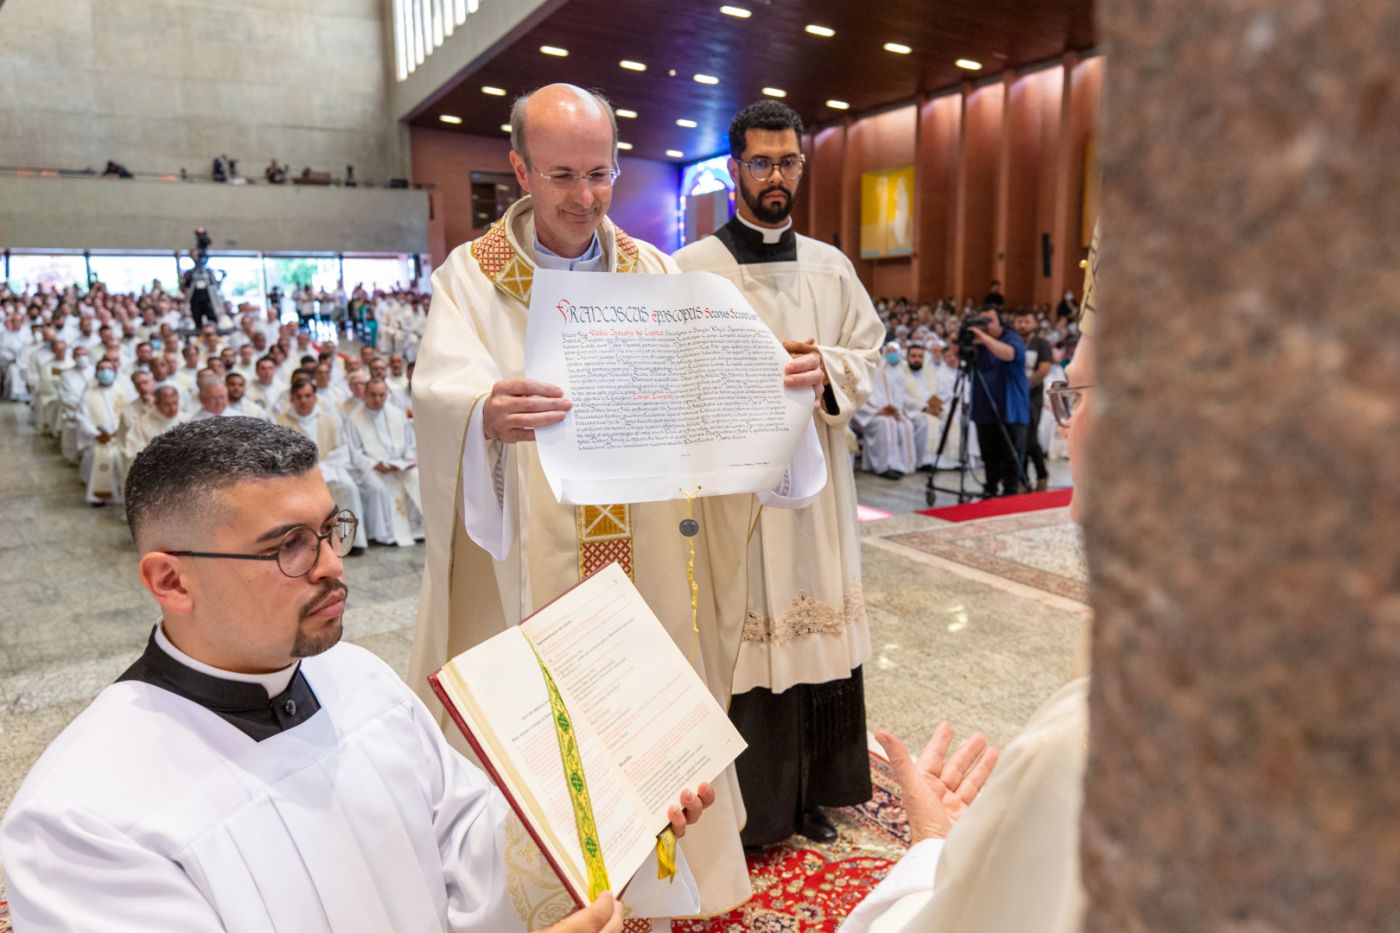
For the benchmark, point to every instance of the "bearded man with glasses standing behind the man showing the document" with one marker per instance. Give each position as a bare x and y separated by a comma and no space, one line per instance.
799,693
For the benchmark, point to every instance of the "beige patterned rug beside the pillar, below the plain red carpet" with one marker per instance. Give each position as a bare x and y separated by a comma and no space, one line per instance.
1039,550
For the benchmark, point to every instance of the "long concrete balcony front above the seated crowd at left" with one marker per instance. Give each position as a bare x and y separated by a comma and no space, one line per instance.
85,214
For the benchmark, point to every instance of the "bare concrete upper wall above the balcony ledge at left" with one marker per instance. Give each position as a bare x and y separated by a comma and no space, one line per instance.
162,85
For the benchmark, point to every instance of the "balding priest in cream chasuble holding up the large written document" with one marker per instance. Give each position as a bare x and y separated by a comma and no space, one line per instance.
512,547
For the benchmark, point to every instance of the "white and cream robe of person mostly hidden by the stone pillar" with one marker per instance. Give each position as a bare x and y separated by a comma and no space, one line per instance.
1011,864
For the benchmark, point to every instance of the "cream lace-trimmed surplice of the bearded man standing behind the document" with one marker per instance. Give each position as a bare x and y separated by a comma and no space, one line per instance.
804,620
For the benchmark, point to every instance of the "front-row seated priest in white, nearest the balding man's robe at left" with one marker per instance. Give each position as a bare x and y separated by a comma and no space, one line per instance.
386,459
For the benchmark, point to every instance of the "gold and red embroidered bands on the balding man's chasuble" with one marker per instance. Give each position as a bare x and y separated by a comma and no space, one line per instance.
604,532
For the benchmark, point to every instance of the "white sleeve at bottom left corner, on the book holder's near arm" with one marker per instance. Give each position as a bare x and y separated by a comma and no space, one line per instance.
71,873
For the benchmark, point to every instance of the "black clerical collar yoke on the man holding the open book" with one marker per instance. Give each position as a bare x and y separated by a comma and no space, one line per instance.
243,705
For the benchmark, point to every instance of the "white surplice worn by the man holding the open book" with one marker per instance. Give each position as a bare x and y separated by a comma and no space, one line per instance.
152,813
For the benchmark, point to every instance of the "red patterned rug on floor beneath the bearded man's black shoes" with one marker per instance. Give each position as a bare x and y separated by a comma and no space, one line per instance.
813,887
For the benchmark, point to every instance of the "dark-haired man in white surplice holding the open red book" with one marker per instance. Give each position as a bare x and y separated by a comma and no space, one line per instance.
248,774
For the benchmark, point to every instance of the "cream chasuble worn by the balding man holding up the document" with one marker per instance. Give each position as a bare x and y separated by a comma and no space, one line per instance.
477,338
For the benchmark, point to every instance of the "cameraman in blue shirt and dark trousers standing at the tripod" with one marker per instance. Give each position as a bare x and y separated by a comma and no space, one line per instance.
1003,417
